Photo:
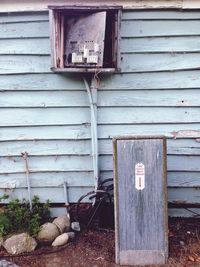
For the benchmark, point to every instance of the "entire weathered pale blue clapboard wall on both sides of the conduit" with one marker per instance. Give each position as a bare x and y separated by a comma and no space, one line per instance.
47,115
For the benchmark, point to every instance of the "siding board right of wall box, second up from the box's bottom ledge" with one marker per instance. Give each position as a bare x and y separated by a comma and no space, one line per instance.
160,44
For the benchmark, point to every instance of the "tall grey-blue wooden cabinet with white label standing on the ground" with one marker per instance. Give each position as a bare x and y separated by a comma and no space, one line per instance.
141,226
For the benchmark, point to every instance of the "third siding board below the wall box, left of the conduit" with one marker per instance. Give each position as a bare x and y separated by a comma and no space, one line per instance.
43,116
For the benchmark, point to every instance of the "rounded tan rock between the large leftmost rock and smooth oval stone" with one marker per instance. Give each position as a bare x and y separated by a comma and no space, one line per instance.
48,232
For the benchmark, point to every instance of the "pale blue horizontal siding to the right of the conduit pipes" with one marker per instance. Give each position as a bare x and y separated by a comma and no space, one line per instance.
160,65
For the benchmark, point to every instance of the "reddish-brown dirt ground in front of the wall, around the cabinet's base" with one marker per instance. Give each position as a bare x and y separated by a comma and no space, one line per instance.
95,248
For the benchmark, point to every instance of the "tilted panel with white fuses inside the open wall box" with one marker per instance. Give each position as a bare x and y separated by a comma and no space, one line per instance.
85,40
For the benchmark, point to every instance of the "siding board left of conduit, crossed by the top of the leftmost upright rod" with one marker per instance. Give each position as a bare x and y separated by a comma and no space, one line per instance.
46,164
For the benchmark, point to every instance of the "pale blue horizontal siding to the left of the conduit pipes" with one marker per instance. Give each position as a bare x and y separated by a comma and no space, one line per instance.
37,115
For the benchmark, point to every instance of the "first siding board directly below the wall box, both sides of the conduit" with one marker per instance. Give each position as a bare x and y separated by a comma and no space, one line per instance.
129,81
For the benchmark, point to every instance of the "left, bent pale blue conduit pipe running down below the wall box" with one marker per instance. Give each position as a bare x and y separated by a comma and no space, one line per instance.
94,136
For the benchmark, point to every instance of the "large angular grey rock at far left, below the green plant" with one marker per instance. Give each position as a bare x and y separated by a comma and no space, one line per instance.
20,243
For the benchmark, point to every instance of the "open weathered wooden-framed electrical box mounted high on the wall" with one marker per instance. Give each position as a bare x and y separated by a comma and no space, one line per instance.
85,38
